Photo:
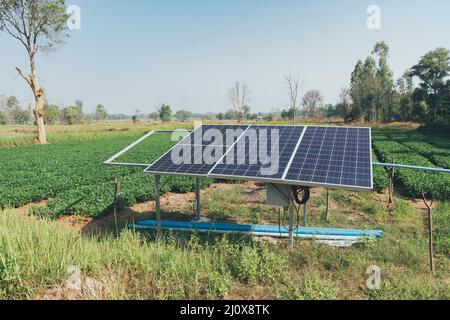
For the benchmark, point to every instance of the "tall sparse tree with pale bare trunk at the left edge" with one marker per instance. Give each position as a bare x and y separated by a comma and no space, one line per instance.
38,25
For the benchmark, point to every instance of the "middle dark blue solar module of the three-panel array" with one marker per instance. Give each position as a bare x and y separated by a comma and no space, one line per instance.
263,152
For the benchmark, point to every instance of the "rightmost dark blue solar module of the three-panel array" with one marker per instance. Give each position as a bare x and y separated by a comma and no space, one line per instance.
333,156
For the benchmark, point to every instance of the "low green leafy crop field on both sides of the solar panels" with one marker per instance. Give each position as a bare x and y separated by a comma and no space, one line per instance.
71,176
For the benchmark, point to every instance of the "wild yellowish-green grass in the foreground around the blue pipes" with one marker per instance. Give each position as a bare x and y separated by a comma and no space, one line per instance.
35,255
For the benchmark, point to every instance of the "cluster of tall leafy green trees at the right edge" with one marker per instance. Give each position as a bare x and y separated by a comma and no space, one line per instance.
375,96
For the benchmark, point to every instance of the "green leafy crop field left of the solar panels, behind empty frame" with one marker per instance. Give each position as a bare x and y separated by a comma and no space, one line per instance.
73,178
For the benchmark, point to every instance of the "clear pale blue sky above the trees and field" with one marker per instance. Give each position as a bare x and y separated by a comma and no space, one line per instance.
137,54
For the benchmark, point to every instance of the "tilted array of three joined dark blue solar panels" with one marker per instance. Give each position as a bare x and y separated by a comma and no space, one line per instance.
297,155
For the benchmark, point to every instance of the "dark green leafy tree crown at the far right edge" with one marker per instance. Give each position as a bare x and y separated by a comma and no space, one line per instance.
433,70
